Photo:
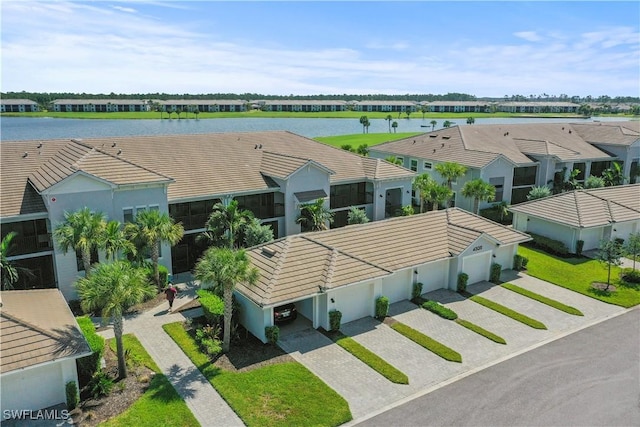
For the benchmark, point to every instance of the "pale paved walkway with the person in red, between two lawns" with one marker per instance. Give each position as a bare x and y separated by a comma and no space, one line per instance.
202,399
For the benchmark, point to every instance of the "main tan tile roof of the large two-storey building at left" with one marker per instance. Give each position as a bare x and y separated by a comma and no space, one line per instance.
202,165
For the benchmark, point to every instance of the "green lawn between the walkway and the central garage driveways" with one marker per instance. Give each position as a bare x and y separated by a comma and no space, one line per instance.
285,394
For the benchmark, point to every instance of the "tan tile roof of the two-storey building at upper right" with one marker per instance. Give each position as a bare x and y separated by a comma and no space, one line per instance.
478,145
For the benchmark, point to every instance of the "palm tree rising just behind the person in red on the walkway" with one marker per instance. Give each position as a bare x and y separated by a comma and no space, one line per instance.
153,228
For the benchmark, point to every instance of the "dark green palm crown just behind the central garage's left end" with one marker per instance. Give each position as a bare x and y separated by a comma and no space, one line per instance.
226,225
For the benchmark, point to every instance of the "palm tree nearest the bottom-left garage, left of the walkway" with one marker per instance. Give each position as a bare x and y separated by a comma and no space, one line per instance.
112,289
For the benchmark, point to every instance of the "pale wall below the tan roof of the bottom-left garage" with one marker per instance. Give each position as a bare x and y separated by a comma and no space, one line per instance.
33,389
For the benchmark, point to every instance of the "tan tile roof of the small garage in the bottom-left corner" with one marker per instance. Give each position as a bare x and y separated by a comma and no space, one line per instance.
37,326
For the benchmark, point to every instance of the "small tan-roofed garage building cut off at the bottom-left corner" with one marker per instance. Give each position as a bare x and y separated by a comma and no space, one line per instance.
40,341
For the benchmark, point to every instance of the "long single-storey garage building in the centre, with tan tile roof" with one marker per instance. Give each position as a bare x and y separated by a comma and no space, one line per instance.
347,269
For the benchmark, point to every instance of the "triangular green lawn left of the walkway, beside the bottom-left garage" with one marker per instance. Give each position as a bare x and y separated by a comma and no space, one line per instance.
160,405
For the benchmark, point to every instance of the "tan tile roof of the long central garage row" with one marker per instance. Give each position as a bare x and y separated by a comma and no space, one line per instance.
298,266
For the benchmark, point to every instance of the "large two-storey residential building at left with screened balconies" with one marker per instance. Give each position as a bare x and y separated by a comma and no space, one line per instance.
270,173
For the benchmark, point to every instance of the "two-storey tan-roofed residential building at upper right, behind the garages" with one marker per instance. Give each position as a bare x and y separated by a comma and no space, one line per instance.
513,157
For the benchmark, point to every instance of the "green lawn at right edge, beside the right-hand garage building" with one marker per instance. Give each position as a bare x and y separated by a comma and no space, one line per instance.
577,274
